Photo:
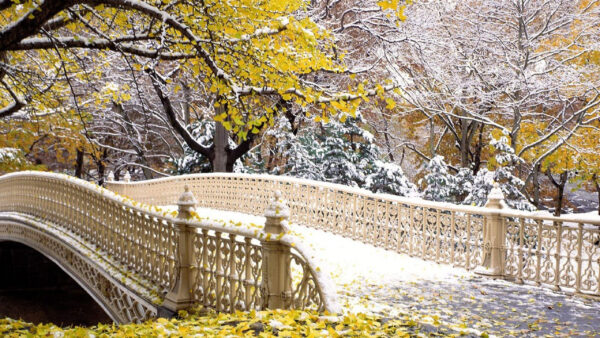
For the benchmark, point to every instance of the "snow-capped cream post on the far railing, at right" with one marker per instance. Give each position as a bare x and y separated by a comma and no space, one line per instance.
494,236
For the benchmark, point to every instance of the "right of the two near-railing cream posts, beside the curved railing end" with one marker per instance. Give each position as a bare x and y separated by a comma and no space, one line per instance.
276,257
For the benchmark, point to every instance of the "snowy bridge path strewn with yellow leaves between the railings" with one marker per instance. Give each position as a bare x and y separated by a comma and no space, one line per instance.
441,298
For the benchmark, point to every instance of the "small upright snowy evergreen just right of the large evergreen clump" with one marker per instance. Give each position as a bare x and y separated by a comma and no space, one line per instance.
440,184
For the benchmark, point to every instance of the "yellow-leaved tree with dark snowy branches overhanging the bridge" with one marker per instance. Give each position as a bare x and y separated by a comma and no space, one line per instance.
253,57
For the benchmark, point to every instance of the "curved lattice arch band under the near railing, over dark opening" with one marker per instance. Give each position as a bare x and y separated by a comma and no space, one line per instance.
120,303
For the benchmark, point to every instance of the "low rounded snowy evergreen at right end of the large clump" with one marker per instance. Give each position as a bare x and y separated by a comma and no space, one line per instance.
389,178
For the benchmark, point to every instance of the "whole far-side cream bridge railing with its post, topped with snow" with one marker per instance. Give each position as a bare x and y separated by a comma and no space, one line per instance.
495,240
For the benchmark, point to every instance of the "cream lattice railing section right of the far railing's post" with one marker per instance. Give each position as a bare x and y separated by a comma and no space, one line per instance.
563,252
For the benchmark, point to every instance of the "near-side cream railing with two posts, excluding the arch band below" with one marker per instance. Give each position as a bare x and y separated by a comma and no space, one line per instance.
190,260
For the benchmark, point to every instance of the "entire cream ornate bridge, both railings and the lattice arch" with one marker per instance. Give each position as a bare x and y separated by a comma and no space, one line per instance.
139,261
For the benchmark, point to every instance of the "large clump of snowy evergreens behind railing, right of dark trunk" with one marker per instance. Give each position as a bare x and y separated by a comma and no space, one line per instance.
339,151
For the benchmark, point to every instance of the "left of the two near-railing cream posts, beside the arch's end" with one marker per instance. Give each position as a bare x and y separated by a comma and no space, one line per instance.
180,296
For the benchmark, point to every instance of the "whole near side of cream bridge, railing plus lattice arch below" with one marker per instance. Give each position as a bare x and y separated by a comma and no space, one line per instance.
137,261
